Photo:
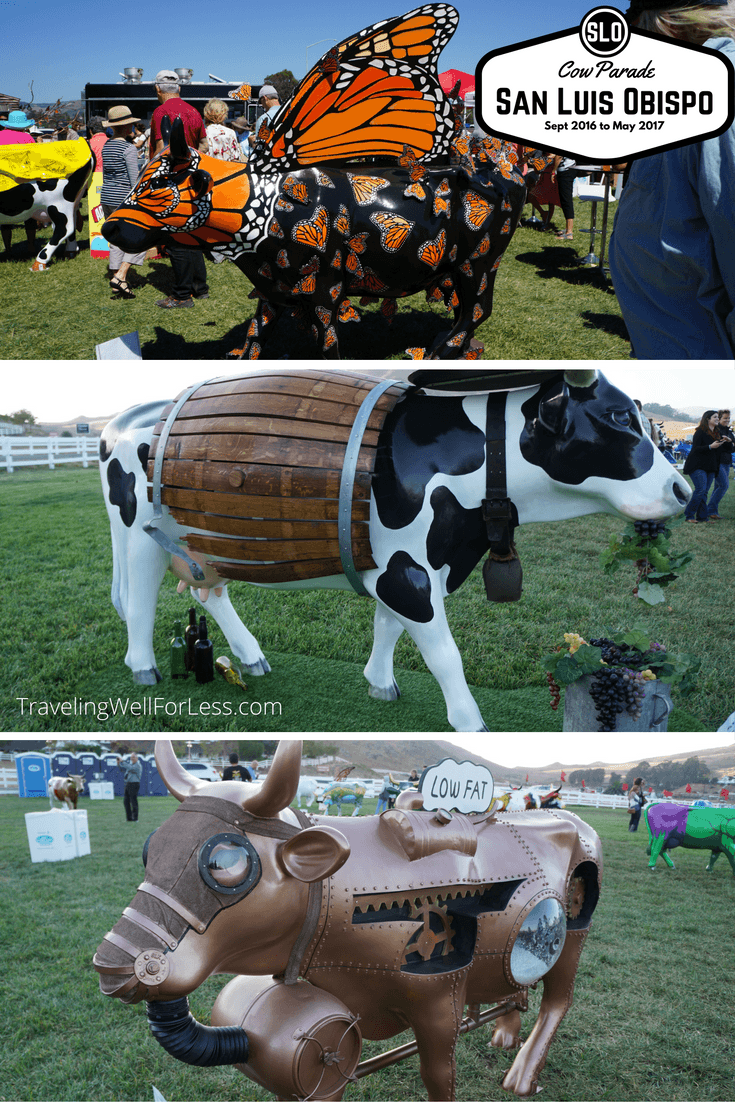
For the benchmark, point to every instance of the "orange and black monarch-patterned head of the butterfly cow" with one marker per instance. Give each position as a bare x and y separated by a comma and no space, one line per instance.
198,200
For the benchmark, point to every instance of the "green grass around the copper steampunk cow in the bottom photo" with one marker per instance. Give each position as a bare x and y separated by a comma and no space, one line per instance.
653,1007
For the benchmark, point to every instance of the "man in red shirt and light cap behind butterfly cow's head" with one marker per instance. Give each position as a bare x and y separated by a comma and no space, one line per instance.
189,268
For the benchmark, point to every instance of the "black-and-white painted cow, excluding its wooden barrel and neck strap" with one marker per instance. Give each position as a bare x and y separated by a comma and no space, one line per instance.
575,446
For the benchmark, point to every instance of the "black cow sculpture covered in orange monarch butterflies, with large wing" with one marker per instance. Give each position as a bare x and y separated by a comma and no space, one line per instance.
350,192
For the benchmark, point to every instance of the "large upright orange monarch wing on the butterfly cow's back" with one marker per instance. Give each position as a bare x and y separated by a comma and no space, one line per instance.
373,94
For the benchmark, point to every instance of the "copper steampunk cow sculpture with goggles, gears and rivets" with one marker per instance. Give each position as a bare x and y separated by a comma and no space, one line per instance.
406,919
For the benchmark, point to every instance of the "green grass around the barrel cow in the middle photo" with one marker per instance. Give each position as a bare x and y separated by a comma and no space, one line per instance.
63,643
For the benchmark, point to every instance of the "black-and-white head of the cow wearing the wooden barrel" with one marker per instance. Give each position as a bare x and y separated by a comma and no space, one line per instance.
585,433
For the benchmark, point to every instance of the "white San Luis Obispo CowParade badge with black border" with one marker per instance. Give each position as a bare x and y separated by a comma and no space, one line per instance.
604,92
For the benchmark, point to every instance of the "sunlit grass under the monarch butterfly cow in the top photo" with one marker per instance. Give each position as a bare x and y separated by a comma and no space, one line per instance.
546,307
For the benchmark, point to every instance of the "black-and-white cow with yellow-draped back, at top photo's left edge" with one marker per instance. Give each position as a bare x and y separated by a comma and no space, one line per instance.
57,200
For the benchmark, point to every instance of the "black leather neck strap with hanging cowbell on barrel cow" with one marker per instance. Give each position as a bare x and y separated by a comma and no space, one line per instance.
502,571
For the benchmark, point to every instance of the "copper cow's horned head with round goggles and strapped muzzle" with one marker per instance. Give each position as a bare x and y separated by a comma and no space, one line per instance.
226,884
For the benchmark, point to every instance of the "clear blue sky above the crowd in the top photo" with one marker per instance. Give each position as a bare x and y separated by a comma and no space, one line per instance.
62,49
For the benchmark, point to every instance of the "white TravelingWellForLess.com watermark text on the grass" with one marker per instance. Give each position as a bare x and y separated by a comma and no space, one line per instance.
155,707
